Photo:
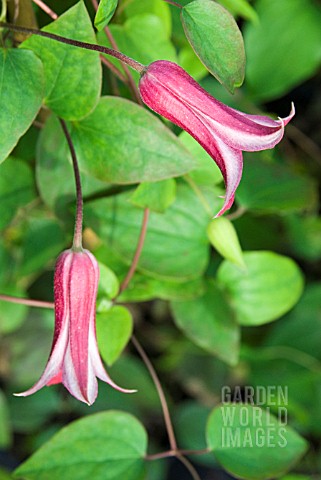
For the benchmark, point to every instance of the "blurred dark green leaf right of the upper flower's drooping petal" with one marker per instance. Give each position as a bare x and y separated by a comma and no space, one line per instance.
259,191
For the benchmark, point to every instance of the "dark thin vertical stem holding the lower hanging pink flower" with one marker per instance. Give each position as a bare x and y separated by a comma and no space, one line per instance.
77,241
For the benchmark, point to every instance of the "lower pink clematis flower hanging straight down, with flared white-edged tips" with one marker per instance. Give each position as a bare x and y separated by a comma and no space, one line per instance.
74,359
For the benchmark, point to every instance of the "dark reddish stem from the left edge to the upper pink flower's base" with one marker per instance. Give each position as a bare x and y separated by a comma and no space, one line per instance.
76,43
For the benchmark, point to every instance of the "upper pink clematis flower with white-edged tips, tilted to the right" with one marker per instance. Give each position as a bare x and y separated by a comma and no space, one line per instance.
222,131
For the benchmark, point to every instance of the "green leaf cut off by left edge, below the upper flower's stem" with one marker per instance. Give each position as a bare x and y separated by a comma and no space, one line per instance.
21,94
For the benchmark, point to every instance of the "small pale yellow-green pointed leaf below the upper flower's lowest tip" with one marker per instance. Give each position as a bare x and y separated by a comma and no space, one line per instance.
223,237
